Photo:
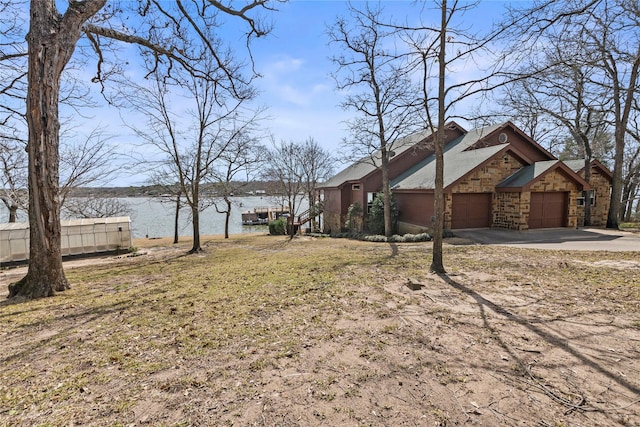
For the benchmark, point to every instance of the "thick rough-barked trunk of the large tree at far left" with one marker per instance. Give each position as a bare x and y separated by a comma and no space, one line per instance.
50,47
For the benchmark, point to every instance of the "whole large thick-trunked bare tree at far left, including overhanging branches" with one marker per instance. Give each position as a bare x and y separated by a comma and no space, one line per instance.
167,32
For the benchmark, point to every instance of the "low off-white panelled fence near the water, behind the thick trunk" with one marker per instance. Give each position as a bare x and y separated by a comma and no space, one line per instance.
79,237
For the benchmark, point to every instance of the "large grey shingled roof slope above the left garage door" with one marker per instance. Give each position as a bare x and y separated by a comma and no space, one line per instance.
457,162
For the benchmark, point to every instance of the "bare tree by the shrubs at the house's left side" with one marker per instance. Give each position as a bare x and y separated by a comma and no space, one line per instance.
378,89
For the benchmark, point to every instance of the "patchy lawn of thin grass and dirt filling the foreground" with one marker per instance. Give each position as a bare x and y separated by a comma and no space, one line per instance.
263,331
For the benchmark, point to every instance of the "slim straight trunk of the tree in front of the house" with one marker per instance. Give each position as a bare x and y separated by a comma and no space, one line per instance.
437,264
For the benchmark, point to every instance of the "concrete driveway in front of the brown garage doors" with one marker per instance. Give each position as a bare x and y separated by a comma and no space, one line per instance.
584,239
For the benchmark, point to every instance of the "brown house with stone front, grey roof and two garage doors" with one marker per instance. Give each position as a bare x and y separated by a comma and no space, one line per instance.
496,176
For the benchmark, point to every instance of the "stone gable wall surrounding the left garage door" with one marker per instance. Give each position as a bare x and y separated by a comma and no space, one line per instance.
484,180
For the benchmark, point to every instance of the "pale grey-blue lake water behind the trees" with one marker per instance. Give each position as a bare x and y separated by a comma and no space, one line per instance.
151,217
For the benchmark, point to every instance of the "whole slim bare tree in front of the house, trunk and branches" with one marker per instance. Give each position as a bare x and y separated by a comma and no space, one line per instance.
437,50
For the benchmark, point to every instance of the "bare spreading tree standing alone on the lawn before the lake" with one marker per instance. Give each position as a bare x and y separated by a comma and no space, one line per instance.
190,141
